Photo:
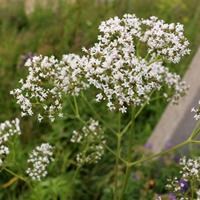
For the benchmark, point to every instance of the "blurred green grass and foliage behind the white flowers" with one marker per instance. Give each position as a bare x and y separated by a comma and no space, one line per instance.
65,29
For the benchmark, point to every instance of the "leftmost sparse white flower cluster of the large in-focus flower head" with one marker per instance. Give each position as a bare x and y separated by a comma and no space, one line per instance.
39,90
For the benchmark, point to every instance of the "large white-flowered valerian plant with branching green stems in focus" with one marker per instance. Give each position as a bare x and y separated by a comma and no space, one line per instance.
126,67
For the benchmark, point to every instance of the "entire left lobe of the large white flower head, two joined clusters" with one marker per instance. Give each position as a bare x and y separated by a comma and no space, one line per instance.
47,80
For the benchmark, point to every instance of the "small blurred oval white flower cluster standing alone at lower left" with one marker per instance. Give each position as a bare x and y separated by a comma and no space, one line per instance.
39,160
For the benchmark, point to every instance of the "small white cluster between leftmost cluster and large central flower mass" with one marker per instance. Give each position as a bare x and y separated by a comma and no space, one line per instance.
70,76
